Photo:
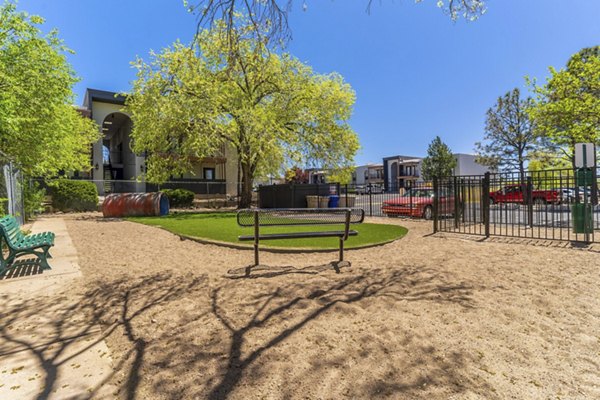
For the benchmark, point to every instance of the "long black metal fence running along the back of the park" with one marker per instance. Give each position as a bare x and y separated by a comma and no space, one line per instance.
551,205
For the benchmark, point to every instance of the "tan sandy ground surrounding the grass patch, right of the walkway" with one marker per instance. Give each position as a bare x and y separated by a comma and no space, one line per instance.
432,317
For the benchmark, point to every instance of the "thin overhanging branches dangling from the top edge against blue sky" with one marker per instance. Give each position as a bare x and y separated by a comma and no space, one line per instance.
272,15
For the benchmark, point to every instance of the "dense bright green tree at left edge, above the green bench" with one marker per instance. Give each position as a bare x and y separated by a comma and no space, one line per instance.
39,127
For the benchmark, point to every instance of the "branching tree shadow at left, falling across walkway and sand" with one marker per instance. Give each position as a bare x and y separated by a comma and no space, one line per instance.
114,305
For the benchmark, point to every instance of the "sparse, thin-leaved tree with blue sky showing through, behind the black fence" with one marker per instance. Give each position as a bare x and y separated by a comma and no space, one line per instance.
510,139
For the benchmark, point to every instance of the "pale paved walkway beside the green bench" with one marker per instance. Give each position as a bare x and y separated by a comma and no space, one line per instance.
47,348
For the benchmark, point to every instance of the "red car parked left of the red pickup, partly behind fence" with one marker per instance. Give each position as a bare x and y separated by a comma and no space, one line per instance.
418,203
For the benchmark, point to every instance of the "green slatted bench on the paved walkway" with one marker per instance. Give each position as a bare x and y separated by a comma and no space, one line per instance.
18,244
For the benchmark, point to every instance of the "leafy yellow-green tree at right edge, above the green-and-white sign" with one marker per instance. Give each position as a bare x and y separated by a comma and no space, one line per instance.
567,108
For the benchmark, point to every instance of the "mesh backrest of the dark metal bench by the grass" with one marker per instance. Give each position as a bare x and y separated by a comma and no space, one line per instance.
299,216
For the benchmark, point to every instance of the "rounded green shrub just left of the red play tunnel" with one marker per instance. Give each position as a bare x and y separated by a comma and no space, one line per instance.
74,195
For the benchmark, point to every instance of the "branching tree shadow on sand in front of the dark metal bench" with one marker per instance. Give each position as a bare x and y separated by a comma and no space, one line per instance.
274,310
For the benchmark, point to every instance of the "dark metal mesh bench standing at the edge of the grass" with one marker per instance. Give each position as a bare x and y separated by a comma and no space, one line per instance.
257,218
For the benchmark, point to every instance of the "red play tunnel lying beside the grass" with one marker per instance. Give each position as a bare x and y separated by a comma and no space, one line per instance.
118,205
